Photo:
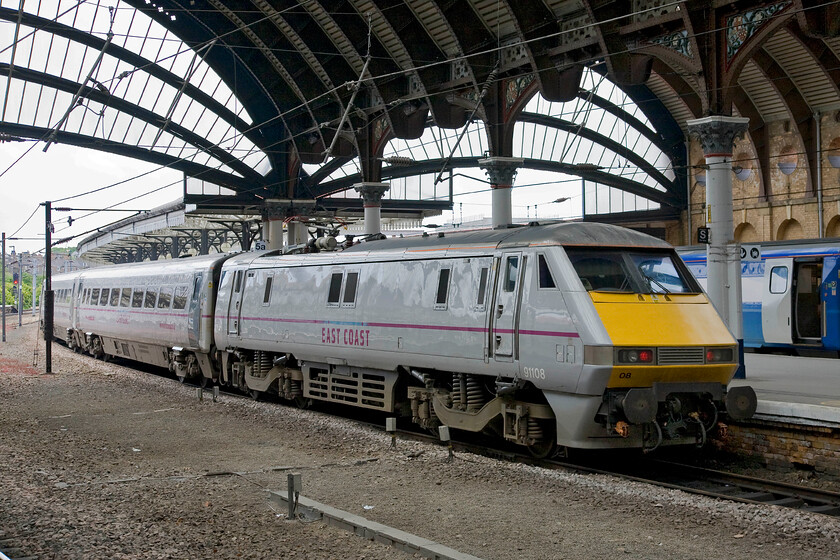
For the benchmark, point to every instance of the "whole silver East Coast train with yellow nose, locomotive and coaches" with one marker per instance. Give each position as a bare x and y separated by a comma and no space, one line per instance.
582,335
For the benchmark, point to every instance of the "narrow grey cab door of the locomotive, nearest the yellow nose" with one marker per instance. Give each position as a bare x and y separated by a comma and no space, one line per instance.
506,310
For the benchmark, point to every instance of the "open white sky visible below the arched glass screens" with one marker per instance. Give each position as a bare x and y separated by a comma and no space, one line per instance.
65,171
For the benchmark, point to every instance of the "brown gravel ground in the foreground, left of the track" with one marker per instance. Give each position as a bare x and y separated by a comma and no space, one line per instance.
104,461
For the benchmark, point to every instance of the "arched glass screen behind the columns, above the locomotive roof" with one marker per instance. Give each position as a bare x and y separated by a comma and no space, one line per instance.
602,129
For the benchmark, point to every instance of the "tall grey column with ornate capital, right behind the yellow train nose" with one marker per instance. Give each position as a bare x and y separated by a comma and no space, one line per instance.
723,258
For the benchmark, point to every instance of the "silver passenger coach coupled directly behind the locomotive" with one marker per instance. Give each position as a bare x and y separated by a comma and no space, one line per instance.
159,312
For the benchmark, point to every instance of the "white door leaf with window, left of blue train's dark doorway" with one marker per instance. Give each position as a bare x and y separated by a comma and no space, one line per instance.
776,305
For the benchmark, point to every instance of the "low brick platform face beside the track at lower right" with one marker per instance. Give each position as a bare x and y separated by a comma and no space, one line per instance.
785,446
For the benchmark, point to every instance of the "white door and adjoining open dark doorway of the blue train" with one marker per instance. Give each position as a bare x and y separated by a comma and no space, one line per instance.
791,309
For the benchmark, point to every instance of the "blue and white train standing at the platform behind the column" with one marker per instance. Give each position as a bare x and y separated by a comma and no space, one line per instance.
790,295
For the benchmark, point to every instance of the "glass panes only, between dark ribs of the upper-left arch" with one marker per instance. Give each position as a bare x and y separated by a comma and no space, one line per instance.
45,52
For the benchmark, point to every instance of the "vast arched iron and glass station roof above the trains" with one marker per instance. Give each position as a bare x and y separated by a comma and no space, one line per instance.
261,100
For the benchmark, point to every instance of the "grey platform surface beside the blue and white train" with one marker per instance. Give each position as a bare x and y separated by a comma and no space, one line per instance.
794,387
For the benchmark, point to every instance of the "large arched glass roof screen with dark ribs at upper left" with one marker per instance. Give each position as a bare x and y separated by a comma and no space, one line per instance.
141,87
